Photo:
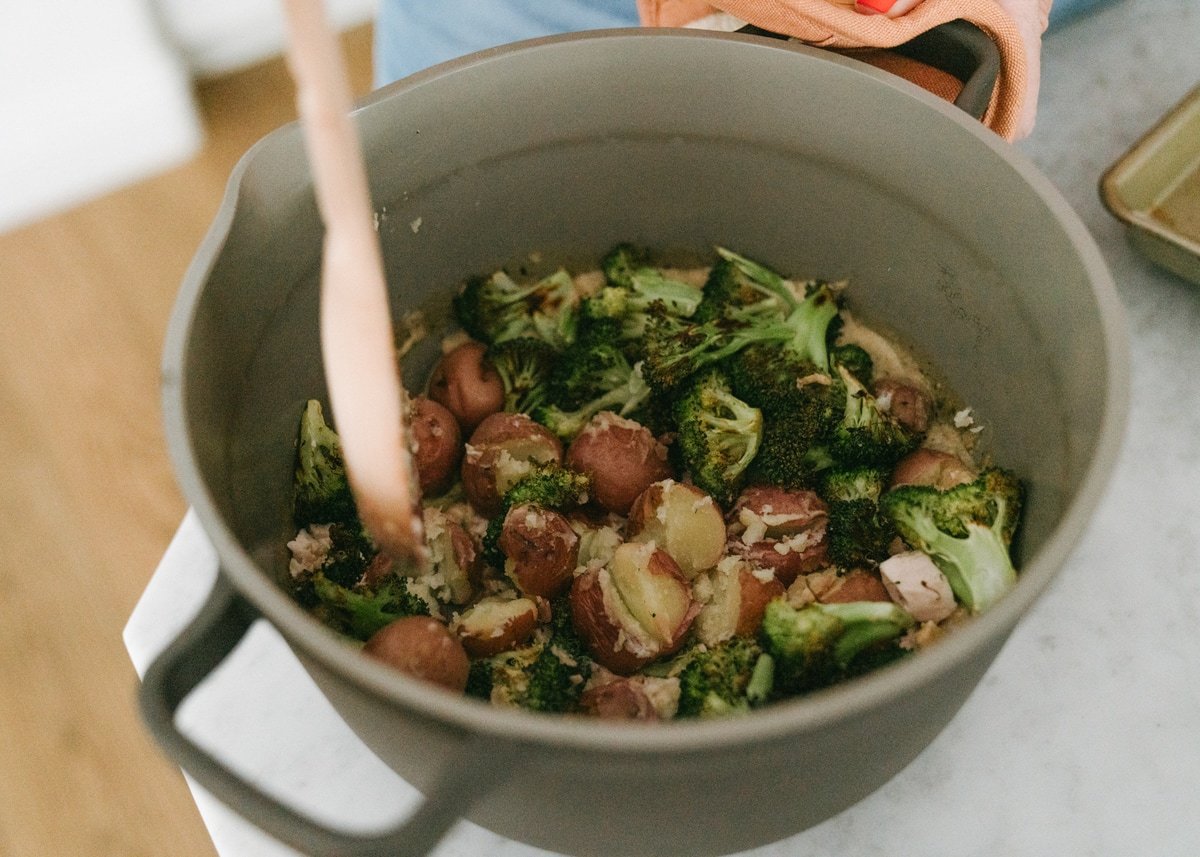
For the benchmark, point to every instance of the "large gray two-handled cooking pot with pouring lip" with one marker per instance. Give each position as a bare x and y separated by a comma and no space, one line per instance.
815,165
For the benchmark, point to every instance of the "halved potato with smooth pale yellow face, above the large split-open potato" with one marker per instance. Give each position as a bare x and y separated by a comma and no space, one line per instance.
682,520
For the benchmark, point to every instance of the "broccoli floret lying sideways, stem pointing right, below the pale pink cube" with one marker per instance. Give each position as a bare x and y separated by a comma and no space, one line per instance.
823,644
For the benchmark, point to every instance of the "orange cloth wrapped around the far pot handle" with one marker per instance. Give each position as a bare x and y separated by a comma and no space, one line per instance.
838,27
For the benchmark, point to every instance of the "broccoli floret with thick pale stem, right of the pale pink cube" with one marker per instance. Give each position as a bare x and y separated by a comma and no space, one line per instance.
968,532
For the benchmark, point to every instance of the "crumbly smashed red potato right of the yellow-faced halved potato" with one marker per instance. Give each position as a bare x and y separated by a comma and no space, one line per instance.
781,530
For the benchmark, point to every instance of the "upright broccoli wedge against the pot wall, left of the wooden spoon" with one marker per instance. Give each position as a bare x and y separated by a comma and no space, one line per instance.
321,489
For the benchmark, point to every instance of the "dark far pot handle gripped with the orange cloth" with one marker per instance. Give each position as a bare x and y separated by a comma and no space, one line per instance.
957,47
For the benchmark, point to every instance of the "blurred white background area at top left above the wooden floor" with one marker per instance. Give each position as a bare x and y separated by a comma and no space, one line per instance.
95,94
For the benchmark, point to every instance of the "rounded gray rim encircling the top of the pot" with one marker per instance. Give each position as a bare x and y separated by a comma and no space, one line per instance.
411,697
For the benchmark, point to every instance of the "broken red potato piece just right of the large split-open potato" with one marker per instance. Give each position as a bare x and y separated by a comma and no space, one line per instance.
737,597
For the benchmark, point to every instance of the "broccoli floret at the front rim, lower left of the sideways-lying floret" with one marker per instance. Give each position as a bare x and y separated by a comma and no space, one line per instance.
727,679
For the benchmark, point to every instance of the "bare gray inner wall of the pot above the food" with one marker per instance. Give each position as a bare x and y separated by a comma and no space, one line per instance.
680,141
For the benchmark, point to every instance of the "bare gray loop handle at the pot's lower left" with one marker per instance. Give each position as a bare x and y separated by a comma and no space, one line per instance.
472,771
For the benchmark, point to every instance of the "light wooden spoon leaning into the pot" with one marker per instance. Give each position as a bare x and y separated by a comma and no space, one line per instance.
357,338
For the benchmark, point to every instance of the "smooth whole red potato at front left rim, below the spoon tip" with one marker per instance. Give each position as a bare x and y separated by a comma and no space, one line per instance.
422,648
